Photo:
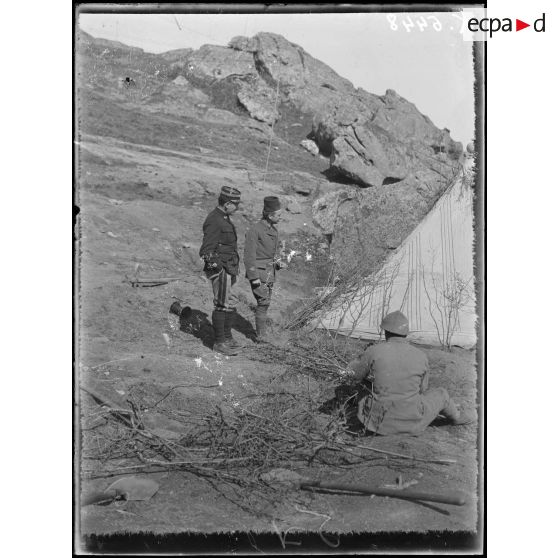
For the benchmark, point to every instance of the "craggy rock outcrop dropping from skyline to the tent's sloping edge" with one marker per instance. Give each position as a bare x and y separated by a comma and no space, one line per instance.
400,160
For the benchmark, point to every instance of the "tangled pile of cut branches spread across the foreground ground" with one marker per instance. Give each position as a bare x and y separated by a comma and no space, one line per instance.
238,439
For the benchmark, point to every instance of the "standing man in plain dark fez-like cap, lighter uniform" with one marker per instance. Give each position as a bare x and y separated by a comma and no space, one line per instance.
261,260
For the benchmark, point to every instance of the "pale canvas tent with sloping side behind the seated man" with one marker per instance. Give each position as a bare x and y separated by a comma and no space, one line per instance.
430,278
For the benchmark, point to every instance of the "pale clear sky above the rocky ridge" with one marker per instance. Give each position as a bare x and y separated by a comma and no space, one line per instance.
424,60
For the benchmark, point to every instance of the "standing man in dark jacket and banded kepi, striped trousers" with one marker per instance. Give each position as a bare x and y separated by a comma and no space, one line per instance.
219,251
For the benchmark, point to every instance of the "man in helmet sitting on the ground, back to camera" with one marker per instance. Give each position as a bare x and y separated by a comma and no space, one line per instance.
399,401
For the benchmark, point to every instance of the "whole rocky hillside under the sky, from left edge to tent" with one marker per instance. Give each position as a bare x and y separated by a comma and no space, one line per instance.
379,163
